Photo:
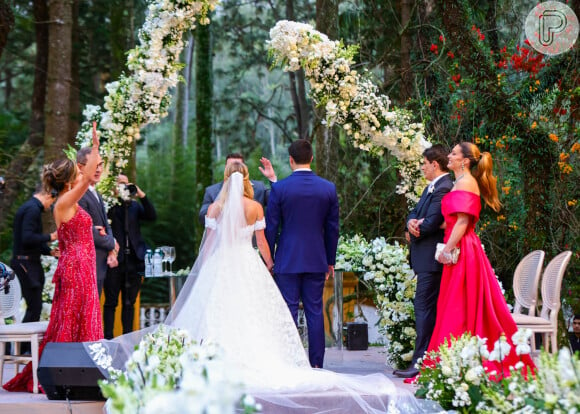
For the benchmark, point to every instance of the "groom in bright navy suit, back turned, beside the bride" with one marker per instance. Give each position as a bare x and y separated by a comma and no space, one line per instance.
302,222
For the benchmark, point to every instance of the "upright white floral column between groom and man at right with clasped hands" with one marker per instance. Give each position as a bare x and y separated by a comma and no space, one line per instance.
393,281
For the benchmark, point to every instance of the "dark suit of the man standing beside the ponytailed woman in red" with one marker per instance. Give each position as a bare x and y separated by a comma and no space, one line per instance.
423,261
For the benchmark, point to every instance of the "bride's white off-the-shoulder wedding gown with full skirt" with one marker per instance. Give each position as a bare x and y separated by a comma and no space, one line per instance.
236,304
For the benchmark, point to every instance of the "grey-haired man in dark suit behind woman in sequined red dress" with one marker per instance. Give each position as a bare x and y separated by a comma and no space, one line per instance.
106,247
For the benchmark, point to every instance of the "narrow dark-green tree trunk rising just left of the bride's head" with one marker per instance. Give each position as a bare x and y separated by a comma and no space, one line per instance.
204,108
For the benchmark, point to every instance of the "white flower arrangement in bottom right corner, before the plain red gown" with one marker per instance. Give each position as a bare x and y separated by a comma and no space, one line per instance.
455,377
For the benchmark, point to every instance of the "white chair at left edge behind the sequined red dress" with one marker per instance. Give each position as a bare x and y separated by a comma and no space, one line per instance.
16,333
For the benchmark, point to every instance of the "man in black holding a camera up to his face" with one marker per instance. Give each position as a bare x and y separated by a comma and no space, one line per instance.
126,278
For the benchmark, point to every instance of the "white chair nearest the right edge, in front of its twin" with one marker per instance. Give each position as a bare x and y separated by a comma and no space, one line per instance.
547,322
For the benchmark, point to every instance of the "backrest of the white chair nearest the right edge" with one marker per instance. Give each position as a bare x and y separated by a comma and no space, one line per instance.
551,286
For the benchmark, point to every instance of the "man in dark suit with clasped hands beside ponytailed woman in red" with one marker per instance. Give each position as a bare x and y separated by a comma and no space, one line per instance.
424,226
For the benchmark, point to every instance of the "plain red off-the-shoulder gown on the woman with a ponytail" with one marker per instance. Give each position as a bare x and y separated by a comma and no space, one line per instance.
470,299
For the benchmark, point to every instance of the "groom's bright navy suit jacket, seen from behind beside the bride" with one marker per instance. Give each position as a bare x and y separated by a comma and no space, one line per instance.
302,223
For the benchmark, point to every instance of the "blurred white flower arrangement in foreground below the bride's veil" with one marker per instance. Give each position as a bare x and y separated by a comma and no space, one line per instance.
171,373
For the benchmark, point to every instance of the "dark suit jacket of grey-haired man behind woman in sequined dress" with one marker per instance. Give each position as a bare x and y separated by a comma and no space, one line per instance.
103,244
